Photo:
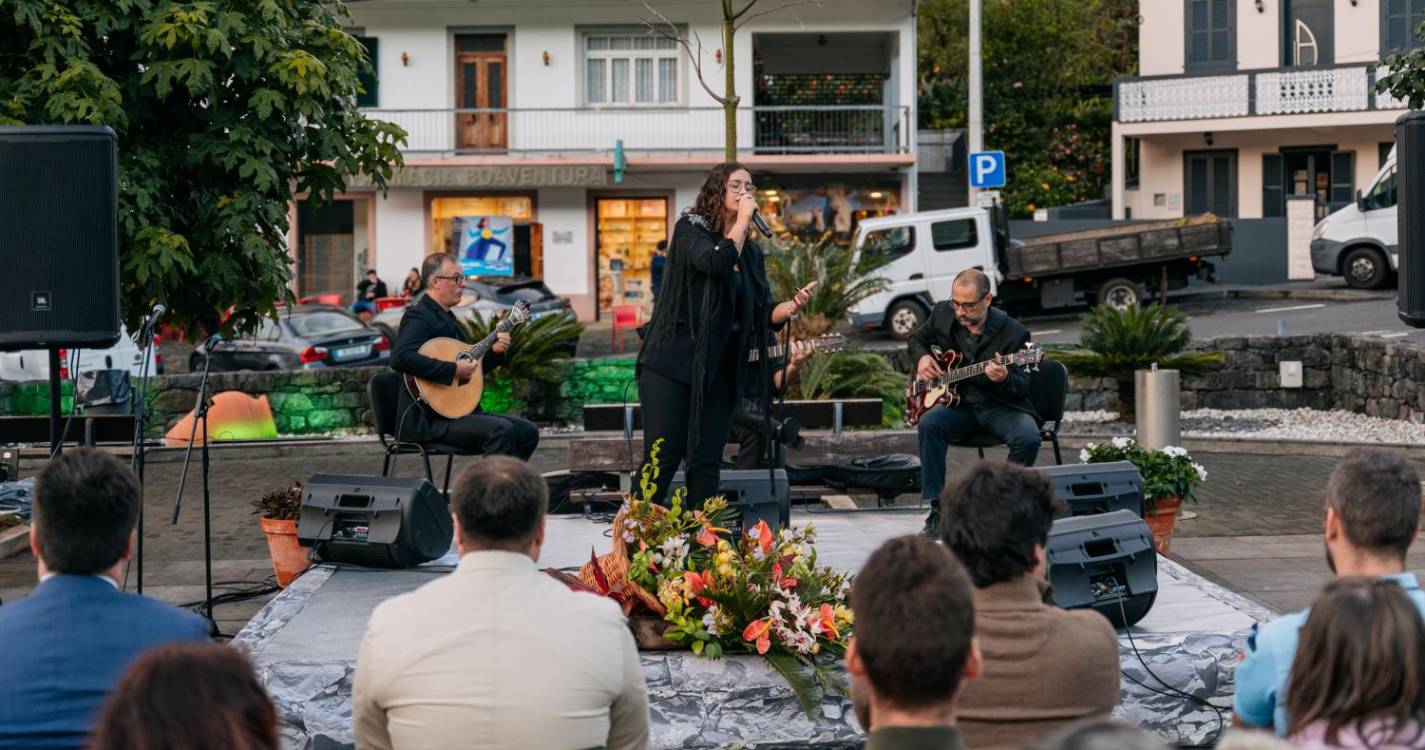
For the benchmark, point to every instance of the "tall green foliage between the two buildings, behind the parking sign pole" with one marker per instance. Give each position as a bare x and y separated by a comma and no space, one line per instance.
1045,81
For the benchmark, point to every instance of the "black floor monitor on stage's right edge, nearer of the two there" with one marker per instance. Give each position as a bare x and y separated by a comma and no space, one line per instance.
1107,564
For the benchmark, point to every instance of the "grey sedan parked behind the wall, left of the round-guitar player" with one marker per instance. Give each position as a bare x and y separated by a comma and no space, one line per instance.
306,337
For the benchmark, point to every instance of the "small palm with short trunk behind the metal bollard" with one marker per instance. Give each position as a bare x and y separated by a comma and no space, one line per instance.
1118,343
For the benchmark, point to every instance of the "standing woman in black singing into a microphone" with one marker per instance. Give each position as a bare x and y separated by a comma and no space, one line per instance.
713,309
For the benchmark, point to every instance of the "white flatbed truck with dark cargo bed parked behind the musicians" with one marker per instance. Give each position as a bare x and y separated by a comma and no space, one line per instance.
1112,264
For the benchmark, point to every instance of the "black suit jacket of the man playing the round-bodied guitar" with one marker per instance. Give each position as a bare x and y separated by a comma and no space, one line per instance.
424,322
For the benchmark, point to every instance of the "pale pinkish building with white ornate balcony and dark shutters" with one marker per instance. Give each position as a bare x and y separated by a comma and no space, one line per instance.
1242,105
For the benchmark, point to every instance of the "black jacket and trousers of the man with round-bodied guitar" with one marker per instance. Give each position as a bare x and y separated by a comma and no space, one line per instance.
488,433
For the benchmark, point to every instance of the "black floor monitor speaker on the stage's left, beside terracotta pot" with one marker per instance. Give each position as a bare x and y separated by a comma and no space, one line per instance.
374,521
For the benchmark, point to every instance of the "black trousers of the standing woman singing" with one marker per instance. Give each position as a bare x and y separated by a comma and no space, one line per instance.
666,413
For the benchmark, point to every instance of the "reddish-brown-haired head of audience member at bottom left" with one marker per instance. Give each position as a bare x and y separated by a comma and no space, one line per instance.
192,698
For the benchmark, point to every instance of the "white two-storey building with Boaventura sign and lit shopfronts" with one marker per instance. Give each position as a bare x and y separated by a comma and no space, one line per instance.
515,112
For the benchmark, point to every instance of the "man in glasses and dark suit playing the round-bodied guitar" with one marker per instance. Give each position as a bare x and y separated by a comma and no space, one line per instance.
430,319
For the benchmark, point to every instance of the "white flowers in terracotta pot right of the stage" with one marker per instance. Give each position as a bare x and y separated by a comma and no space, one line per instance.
1169,478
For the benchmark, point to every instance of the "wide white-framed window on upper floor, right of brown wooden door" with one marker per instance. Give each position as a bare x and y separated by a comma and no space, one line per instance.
635,71
